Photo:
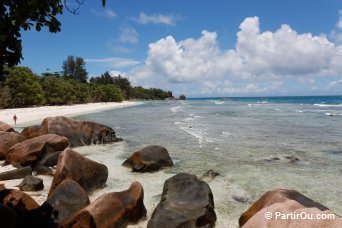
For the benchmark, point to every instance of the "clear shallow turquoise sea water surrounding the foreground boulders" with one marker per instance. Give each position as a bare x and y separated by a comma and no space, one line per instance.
249,141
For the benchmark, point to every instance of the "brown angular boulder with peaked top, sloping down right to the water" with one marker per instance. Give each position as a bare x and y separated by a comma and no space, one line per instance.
87,173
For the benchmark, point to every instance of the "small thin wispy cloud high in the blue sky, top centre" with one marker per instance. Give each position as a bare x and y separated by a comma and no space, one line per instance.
155,19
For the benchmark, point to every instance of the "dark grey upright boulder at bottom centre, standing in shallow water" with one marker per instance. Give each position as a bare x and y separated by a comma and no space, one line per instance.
186,201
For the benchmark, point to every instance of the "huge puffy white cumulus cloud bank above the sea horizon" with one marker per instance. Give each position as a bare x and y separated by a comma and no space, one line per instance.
280,55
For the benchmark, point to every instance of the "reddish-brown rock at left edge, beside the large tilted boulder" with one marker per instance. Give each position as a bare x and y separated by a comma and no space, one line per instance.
7,140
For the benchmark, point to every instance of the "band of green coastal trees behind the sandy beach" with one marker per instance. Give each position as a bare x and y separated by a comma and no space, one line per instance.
21,87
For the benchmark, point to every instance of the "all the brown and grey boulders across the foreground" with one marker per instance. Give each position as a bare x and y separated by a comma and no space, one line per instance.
186,200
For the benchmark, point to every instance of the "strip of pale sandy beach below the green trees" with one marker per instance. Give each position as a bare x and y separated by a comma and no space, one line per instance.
37,114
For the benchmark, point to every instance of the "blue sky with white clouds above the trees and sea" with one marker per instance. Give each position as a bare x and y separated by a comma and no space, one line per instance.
202,48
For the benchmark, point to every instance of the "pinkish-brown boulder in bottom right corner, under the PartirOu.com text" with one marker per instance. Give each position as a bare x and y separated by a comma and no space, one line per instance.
286,202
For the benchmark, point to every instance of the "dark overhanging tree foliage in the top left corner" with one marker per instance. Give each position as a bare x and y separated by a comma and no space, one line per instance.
23,15
